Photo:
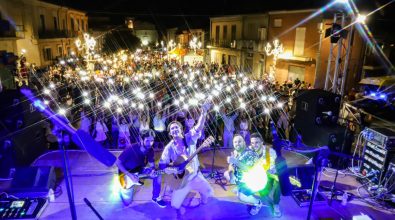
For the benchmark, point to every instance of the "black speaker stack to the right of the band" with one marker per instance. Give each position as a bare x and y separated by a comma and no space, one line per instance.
317,112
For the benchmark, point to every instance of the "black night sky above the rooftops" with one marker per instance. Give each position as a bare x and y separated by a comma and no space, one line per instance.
195,14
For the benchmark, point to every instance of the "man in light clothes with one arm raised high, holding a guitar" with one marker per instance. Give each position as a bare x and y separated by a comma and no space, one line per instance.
184,145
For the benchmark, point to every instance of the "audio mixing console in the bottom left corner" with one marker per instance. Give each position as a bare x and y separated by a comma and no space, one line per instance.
28,208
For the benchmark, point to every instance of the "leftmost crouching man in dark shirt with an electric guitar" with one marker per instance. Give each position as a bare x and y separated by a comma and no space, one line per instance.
137,159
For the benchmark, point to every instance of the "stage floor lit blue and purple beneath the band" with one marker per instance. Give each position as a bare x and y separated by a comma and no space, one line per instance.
98,183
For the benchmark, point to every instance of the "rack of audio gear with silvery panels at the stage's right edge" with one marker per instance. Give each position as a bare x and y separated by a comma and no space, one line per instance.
378,152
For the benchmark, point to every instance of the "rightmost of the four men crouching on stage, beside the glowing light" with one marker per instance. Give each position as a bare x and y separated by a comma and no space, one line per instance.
264,154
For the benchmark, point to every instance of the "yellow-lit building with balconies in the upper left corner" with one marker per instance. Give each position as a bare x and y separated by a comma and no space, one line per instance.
45,31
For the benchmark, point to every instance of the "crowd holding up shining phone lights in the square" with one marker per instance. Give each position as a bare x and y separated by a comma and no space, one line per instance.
116,97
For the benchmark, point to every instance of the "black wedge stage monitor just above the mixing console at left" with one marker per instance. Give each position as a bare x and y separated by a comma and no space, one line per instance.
33,179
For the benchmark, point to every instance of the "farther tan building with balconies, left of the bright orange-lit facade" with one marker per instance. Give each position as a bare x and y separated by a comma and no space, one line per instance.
239,40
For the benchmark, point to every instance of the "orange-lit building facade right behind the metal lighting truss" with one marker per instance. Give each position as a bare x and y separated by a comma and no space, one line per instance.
306,48
